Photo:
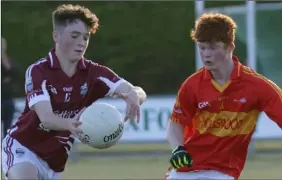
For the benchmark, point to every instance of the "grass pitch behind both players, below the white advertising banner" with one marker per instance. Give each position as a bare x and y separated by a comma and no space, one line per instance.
267,166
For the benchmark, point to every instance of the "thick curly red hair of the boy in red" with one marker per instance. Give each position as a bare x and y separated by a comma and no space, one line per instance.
214,27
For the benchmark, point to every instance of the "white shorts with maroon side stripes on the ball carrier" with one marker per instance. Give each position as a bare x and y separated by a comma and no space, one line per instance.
13,152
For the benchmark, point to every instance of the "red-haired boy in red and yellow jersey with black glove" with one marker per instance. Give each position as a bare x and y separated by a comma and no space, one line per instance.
217,108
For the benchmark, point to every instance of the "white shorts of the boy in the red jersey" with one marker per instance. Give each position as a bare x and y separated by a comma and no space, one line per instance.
205,174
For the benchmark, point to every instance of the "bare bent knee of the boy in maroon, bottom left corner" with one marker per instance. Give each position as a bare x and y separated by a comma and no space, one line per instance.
23,170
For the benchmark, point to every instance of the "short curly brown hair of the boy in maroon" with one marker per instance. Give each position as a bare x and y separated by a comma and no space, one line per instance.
68,13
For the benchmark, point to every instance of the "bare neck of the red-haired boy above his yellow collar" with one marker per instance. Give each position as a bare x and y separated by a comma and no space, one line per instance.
222,75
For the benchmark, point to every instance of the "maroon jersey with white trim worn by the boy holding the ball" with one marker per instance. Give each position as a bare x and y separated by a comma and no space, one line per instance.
45,80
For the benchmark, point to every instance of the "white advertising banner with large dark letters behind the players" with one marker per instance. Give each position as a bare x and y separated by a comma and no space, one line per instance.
155,113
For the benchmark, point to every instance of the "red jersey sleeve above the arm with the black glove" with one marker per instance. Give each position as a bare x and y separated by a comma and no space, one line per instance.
185,106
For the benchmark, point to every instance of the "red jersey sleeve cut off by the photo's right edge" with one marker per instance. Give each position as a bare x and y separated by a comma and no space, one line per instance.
271,101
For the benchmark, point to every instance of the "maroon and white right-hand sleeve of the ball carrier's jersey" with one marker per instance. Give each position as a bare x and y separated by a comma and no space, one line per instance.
108,80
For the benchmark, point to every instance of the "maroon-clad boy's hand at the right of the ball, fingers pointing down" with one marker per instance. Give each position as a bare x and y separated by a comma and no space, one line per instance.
133,106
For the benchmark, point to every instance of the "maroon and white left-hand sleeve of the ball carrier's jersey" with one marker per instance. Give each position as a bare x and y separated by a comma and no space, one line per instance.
35,86
